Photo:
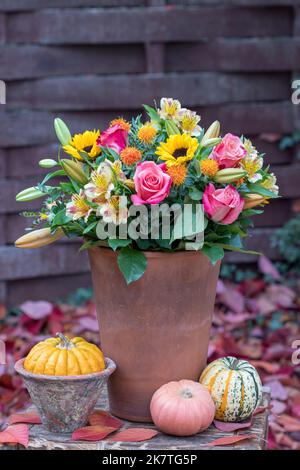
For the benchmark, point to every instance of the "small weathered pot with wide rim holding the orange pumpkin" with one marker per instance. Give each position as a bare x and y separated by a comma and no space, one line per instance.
65,403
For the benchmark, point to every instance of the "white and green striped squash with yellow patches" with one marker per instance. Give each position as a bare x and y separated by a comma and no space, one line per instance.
235,387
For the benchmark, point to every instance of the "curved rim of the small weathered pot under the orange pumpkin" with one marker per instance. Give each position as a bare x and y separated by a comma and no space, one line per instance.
109,369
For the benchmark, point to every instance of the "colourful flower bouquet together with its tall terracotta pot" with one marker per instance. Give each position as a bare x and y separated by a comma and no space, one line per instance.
167,198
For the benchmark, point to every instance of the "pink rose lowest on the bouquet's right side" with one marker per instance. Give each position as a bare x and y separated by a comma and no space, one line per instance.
222,205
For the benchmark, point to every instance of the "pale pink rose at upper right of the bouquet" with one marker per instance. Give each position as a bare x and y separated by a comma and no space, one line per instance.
229,151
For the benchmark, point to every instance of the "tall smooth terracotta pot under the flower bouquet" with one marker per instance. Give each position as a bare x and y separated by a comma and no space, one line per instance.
157,328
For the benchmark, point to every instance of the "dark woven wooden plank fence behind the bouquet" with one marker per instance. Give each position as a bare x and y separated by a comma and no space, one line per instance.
90,60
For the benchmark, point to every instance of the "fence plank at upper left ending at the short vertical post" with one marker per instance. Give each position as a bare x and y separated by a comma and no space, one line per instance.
33,61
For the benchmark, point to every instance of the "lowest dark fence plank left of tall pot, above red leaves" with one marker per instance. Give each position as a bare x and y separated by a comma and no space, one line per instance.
46,288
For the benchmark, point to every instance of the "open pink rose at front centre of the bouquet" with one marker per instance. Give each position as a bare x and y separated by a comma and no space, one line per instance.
152,183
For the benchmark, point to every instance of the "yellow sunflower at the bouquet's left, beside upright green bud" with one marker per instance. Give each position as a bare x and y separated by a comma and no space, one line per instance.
85,143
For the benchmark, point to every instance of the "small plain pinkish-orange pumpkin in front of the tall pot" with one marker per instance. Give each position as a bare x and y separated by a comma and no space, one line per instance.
182,408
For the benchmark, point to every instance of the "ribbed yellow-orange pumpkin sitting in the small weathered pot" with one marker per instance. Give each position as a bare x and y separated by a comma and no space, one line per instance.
64,356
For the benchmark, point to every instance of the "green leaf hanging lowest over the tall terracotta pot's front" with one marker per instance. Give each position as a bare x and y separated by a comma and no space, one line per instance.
132,264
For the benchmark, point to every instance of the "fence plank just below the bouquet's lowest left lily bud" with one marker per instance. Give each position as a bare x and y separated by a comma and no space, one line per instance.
56,259
